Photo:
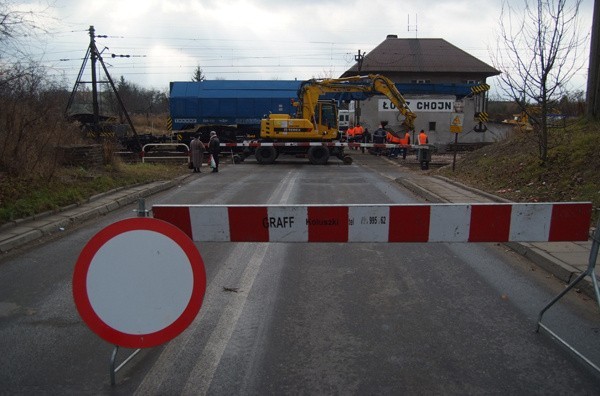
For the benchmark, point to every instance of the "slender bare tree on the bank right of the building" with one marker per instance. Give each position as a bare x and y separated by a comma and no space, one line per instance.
537,53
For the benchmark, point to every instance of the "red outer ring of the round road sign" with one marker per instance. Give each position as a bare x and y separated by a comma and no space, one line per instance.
116,337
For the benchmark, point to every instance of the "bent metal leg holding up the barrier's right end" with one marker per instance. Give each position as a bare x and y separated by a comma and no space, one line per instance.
591,271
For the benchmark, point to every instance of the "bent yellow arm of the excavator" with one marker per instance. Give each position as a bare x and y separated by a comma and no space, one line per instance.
372,84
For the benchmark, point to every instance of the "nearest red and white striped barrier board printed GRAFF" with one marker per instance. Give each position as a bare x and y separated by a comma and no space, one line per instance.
518,222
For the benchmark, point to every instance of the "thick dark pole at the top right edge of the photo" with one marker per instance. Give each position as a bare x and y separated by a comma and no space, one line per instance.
593,86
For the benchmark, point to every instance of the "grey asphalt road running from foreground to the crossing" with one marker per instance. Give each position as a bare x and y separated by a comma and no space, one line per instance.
307,318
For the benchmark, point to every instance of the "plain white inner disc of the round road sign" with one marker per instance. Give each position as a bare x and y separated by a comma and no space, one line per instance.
141,292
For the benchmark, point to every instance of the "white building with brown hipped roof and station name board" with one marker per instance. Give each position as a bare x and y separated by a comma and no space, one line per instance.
435,77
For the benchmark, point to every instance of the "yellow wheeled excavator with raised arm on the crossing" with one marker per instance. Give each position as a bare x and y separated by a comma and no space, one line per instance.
316,121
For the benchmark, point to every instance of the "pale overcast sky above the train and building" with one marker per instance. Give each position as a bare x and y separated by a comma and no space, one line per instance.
256,39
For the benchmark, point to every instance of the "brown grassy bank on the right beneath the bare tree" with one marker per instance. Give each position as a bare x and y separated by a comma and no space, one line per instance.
511,168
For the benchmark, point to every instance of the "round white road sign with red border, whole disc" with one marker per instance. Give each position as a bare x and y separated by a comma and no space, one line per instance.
139,282
